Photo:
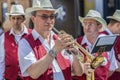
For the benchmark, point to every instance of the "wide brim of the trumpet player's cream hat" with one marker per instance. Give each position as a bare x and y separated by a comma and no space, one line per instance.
29,10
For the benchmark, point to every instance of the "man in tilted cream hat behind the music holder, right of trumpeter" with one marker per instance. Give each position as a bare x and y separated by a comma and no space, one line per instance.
92,24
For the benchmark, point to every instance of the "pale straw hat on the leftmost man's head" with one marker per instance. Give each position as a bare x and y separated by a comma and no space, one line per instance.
16,10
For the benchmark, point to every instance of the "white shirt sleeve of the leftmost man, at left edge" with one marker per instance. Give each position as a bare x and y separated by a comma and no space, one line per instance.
2,57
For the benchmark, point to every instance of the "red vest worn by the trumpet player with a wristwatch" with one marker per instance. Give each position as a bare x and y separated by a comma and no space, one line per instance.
40,51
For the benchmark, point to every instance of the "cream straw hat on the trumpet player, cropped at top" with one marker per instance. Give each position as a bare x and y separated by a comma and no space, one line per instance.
40,5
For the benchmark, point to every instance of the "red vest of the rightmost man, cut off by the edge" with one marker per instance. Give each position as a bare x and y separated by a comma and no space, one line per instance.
115,75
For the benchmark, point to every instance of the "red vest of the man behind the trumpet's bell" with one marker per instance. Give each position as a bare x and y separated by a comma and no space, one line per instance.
101,73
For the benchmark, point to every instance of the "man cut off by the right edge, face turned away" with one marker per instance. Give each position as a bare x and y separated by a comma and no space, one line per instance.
113,28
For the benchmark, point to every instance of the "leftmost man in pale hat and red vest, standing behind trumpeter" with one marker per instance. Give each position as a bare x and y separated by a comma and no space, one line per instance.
9,65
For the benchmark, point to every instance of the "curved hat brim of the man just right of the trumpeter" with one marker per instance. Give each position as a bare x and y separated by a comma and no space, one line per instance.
102,21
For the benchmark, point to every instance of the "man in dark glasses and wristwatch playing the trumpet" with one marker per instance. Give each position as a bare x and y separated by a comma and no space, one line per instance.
42,54
